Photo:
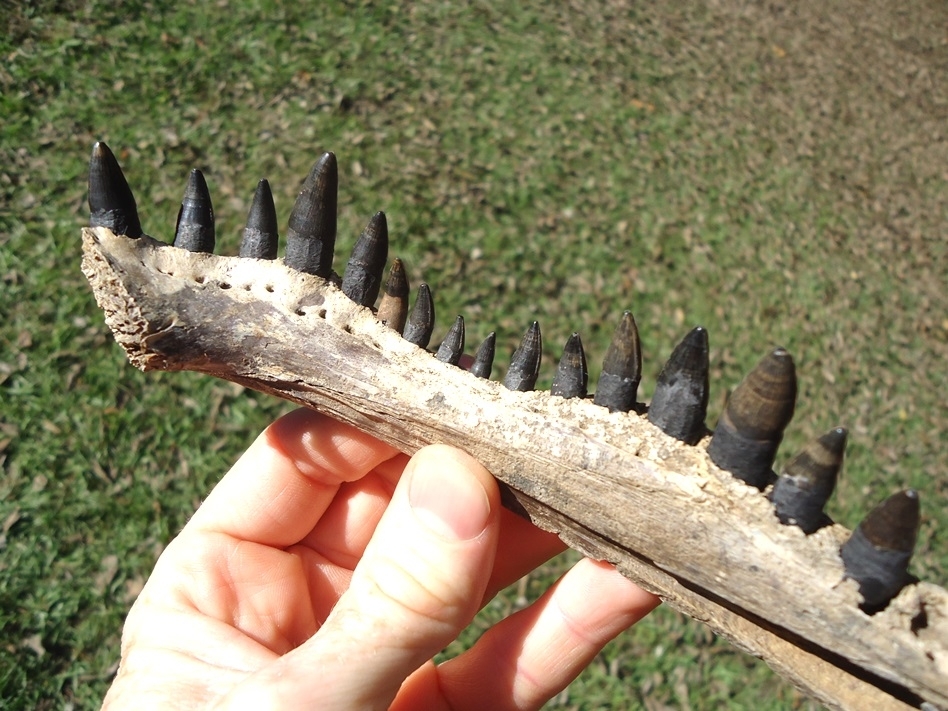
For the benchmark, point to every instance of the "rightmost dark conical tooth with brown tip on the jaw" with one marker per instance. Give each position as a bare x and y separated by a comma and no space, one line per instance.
877,554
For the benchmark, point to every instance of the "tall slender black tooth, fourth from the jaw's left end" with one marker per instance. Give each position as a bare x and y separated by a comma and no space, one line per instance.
311,233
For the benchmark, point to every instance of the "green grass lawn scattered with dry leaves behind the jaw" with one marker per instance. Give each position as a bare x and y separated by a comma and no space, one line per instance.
696,165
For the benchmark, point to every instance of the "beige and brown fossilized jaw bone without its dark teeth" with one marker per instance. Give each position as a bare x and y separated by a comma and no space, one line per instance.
609,483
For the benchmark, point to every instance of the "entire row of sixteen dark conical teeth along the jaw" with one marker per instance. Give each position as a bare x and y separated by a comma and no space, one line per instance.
746,437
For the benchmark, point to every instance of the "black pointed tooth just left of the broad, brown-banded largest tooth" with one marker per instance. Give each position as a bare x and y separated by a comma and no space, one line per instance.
680,402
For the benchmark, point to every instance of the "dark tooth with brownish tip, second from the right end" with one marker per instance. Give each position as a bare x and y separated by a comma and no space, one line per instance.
808,480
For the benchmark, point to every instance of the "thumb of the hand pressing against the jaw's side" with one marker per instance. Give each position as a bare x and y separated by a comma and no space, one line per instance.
419,583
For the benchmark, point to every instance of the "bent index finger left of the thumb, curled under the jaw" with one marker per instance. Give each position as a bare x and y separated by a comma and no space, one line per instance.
281,486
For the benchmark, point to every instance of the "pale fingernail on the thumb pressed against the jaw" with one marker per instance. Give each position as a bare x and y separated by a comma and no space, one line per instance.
452,504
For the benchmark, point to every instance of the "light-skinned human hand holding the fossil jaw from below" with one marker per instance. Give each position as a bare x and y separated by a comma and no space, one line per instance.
326,569
